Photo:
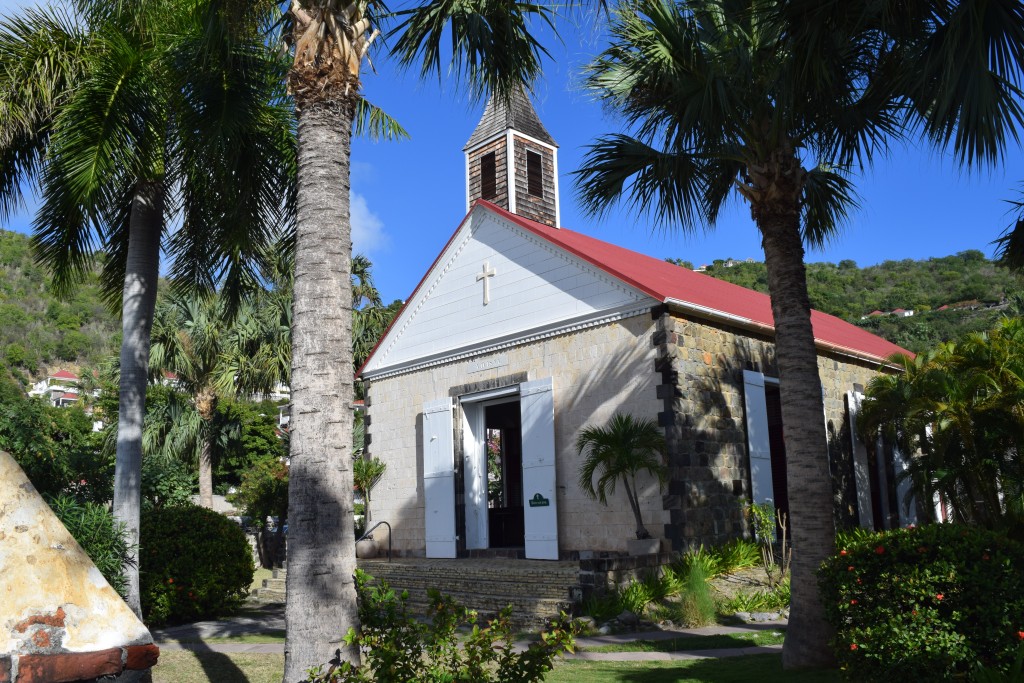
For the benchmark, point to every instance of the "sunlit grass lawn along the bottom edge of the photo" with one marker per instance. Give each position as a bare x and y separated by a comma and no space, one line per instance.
183,667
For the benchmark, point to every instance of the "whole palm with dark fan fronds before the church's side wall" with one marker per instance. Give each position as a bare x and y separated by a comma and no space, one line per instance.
778,102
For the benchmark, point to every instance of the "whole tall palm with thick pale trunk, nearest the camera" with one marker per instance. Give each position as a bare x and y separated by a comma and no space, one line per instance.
330,41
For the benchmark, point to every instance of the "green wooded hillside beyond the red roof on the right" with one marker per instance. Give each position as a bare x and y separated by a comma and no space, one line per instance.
973,289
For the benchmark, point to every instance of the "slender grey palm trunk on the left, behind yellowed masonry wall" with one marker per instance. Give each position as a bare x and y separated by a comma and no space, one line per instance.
142,274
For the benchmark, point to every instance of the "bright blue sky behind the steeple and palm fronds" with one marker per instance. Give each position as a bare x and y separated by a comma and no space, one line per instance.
409,197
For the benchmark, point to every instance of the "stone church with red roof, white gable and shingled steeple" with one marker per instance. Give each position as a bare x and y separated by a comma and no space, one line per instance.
523,332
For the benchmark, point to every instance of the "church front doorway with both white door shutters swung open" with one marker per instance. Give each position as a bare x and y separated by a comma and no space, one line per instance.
499,492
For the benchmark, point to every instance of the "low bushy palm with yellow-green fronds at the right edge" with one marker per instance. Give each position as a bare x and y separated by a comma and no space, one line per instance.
961,409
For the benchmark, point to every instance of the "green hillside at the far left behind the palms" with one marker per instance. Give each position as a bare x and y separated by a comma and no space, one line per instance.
40,332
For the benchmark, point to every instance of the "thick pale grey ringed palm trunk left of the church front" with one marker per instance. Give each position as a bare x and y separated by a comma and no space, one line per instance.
321,595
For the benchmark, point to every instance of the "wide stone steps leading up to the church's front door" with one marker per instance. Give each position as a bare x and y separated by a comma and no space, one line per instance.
537,590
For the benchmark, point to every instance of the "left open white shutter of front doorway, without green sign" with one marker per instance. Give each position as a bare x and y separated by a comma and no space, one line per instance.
439,479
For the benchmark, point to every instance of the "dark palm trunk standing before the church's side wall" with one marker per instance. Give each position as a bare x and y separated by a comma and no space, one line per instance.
809,486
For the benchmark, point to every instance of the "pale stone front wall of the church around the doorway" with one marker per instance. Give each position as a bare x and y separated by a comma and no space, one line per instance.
582,365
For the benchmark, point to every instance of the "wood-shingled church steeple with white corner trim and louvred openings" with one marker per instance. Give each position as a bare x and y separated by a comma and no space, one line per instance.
513,161
